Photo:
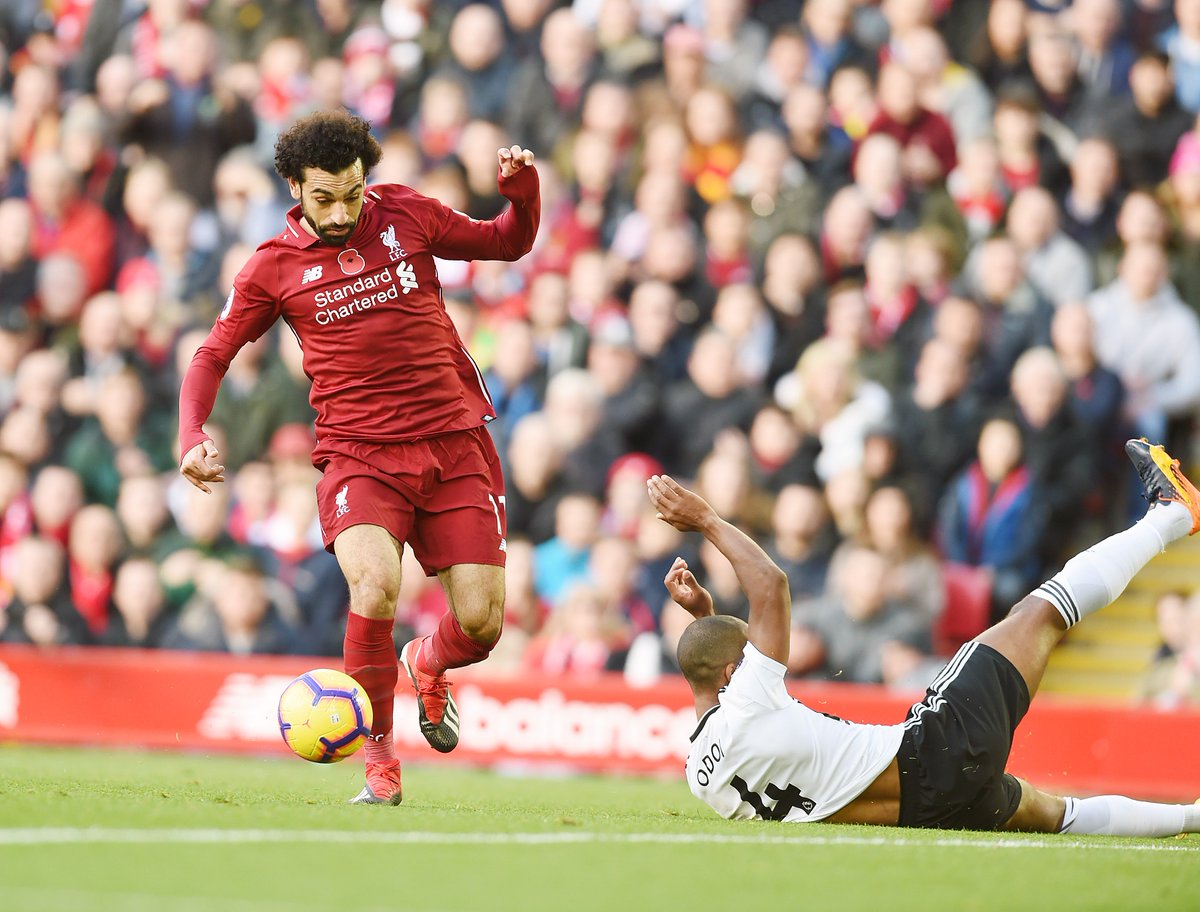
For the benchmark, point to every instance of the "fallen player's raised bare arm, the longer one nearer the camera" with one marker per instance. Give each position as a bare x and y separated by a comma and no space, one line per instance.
764,583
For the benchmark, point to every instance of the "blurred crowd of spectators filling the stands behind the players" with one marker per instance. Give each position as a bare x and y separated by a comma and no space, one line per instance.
889,283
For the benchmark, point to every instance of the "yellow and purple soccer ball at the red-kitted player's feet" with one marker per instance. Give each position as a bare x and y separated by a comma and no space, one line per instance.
325,716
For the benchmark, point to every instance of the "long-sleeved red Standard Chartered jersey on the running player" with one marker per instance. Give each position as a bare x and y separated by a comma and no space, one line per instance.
385,359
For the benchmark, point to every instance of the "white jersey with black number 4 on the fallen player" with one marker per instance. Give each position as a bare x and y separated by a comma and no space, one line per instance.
760,753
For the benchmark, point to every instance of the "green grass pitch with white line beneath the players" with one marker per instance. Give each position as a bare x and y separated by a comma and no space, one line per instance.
129,832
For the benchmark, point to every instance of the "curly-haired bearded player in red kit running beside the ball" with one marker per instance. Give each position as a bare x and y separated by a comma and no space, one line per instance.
401,407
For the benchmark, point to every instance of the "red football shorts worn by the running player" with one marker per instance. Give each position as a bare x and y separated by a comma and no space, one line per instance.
443,496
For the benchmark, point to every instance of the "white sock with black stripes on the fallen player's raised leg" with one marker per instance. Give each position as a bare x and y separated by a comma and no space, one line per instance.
1097,577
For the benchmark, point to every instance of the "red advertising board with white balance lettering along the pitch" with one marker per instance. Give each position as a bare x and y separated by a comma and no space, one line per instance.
209,703
